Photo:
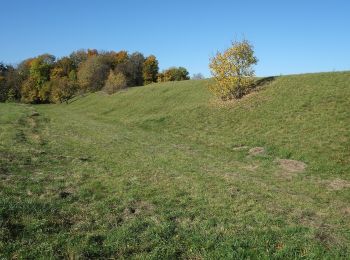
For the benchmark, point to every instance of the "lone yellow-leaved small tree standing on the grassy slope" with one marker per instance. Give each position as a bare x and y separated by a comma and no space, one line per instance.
232,70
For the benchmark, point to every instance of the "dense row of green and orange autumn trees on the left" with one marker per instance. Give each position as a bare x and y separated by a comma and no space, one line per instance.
46,79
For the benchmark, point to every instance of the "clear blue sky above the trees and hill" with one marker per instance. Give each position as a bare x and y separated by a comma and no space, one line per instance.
292,36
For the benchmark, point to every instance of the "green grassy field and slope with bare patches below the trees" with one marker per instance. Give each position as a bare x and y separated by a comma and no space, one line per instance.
166,171
